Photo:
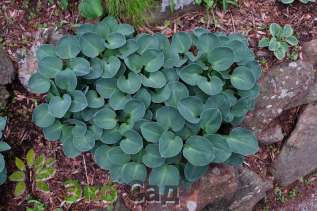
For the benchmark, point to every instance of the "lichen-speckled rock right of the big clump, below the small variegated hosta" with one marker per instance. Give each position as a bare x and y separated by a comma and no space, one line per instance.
282,86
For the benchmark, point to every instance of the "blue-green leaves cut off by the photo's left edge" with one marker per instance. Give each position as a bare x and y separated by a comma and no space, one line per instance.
3,147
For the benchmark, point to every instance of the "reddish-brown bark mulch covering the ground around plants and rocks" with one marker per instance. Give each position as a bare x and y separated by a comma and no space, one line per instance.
20,19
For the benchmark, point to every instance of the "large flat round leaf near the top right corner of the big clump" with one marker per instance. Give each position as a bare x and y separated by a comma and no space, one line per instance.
221,58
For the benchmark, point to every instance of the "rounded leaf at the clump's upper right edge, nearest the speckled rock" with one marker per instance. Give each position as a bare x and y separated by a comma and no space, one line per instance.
242,78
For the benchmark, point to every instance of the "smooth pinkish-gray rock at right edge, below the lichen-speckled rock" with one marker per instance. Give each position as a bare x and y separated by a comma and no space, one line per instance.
298,156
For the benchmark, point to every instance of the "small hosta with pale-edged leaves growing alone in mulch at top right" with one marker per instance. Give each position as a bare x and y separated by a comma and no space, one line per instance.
280,41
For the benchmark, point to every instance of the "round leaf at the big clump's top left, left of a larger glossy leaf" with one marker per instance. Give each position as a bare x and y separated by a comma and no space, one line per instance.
68,47
